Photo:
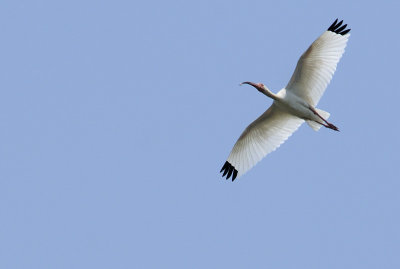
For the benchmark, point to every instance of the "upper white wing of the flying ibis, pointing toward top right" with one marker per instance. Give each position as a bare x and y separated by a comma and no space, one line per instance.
316,66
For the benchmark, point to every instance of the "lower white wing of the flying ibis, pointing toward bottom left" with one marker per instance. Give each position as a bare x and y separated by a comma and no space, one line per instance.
261,137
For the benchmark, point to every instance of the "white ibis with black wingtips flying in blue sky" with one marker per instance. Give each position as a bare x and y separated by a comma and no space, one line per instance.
292,105
